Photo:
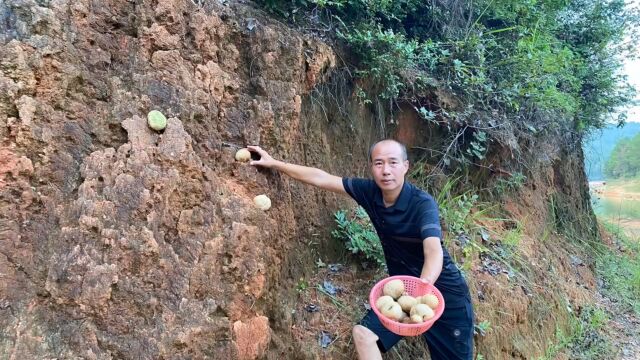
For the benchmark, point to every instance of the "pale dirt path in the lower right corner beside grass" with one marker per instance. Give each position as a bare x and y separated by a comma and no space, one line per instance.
623,329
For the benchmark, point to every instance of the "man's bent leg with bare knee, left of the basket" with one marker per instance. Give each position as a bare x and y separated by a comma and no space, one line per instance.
372,338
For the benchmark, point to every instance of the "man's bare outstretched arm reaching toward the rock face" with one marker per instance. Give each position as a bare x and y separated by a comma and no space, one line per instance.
305,174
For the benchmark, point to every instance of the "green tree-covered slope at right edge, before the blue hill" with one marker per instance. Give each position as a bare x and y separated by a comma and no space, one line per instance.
624,161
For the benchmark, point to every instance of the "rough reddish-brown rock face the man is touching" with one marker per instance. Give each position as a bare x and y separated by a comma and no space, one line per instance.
120,242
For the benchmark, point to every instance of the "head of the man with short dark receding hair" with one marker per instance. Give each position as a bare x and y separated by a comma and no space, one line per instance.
388,166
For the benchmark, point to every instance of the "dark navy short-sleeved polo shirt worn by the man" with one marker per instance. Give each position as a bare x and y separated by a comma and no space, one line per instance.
402,229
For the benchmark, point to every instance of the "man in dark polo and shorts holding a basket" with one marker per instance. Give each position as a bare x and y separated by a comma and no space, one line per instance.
406,220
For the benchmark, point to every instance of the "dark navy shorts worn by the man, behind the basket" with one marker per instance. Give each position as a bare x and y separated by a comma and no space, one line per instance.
451,337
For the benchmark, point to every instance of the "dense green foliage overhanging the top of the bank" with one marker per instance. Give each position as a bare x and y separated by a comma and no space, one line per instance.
515,56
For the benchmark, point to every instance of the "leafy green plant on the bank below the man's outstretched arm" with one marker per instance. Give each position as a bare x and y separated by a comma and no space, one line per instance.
359,235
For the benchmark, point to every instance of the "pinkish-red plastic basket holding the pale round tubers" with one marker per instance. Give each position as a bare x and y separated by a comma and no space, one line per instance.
414,287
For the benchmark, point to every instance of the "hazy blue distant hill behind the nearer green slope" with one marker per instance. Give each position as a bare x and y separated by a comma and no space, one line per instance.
599,146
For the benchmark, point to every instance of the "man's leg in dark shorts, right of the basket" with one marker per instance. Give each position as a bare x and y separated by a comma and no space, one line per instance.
451,337
